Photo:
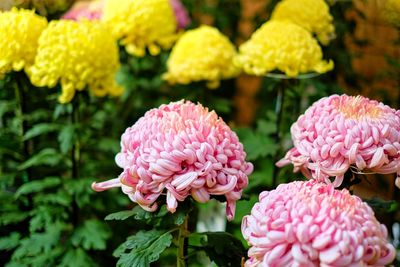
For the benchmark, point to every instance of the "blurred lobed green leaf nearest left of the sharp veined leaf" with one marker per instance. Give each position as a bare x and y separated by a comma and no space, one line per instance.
92,234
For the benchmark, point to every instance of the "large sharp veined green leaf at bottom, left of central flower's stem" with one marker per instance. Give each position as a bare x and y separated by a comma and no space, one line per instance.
146,247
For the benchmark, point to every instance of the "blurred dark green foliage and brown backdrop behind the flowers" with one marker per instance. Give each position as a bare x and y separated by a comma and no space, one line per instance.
366,53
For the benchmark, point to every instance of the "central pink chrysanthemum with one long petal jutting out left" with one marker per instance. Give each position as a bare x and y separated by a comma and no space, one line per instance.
180,149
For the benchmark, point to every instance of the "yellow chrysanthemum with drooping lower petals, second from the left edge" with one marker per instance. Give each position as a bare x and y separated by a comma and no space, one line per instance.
79,55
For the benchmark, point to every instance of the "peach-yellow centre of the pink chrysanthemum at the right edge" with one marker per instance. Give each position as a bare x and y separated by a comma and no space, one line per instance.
357,107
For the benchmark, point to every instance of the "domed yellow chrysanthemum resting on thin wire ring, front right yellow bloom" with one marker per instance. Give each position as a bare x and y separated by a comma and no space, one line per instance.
283,46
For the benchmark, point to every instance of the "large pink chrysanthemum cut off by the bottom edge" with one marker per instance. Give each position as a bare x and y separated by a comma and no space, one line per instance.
312,224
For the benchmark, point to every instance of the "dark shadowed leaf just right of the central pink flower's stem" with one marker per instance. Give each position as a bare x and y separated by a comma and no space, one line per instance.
222,248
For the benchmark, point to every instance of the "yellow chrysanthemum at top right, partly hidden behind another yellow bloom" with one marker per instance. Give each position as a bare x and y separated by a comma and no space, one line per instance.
313,15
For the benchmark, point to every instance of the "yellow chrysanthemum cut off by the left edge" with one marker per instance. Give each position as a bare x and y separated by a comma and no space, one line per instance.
19,34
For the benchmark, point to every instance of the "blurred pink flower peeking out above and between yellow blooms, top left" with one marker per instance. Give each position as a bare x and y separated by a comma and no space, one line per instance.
91,10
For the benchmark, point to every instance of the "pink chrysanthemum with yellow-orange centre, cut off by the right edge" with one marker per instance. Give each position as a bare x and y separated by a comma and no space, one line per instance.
341,132
